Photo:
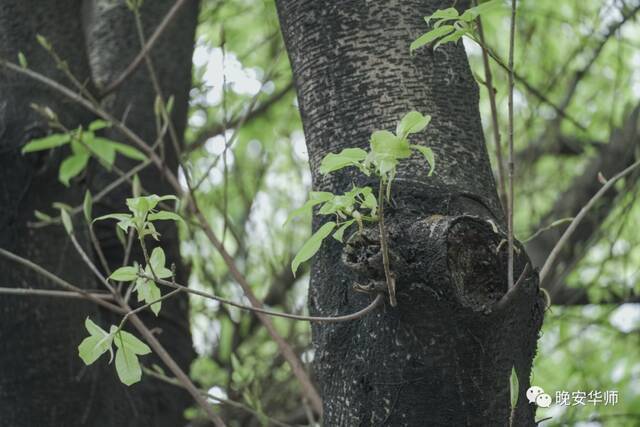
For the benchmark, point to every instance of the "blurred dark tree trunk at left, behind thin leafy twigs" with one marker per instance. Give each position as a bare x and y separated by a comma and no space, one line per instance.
43,382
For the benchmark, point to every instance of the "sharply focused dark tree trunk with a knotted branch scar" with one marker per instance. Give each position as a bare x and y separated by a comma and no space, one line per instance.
444,355
